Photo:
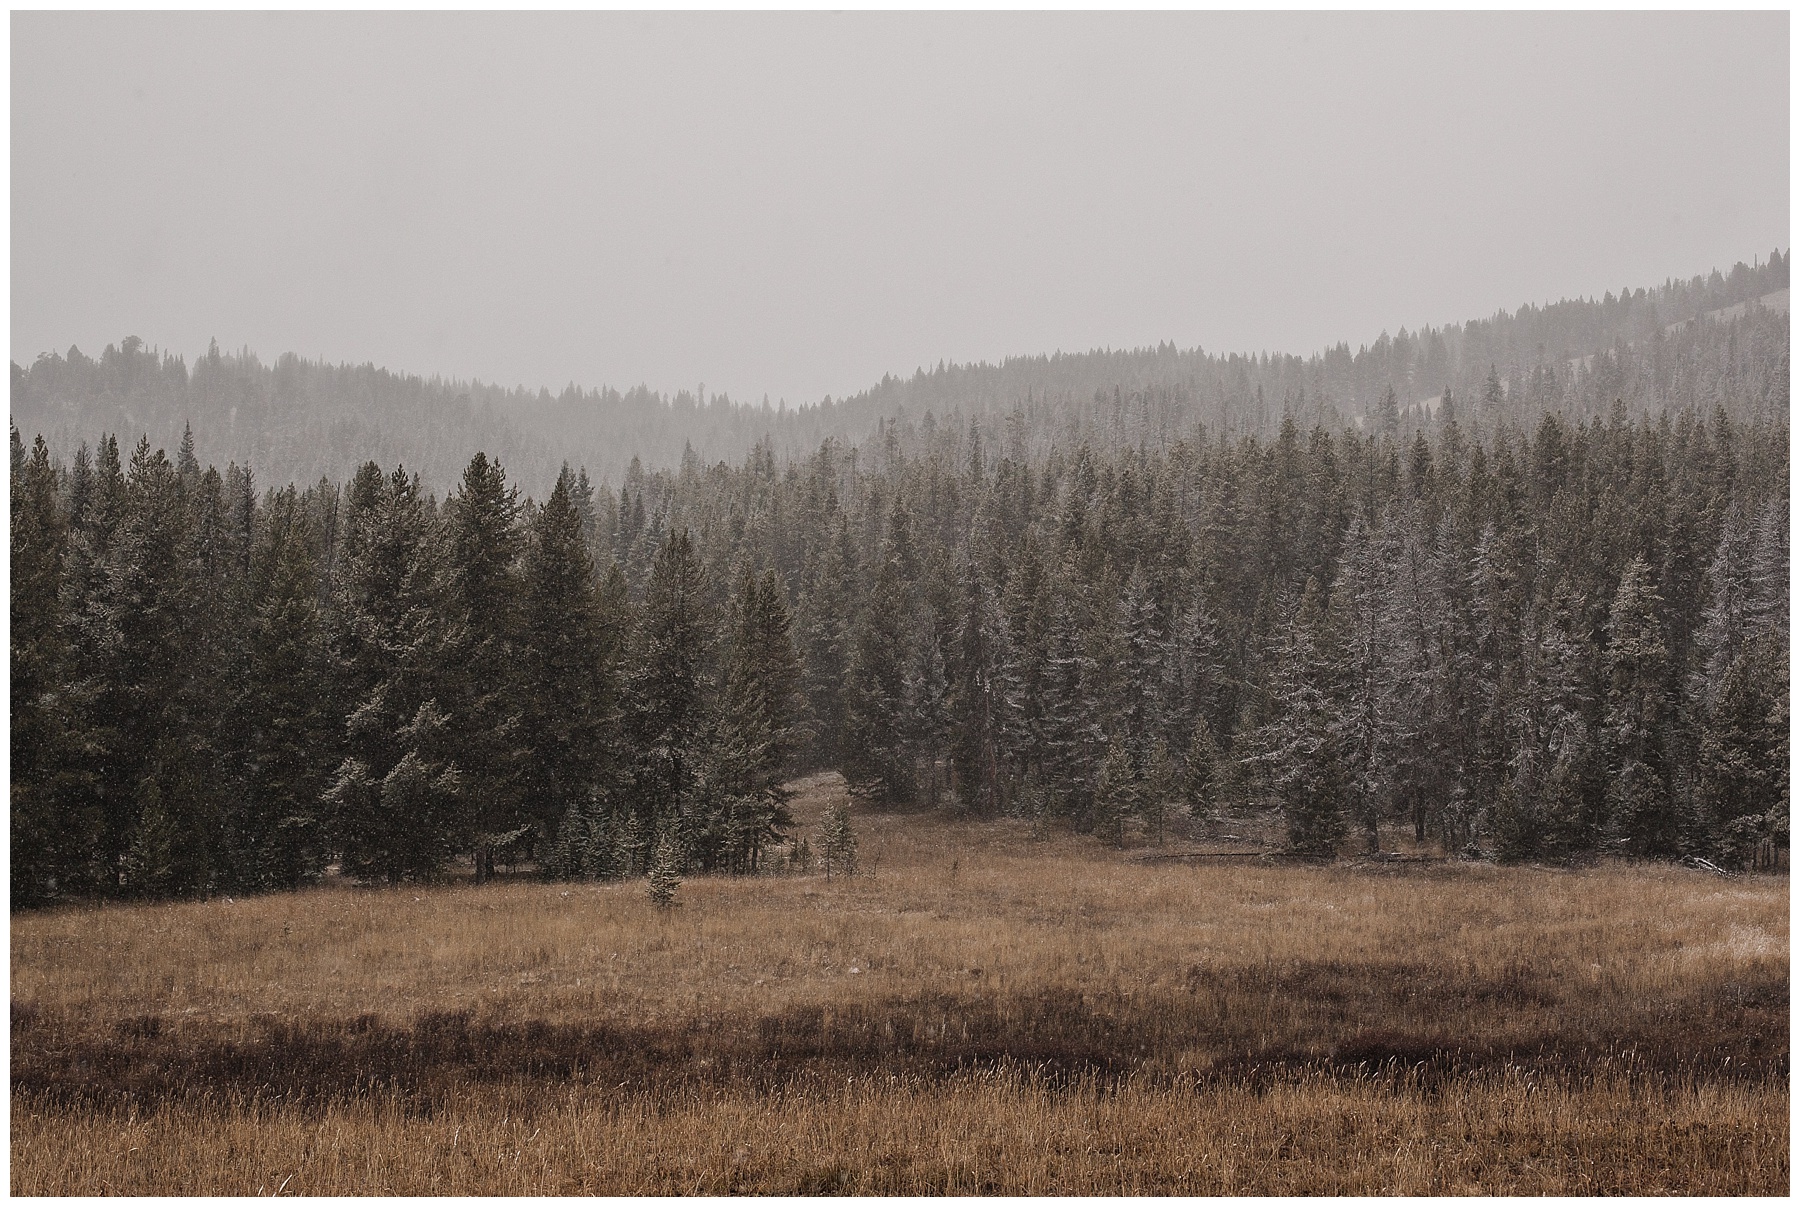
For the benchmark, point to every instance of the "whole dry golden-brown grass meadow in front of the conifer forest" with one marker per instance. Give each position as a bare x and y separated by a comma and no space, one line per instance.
976,1012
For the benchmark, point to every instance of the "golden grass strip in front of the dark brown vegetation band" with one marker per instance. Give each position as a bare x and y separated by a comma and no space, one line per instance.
971,1134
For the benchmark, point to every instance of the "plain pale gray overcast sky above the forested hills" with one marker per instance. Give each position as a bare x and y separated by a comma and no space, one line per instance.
798,204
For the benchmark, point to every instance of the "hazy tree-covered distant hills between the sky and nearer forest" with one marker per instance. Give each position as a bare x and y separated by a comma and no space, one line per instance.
300,420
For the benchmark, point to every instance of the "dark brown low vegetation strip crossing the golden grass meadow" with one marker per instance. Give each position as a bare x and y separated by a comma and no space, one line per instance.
1363,1021
